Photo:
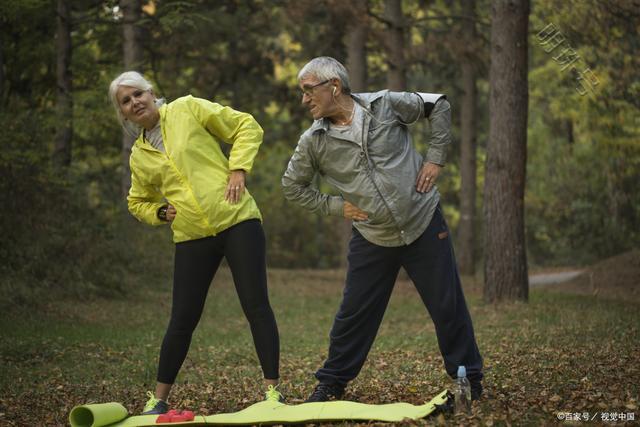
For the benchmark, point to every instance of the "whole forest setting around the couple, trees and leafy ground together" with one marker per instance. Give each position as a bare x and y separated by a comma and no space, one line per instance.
542,174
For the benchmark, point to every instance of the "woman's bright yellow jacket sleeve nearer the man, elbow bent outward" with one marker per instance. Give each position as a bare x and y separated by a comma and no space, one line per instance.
233,127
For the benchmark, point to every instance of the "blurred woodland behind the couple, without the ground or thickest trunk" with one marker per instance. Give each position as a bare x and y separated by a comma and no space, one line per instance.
63,161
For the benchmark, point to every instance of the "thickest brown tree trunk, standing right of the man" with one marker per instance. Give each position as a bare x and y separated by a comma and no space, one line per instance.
505,249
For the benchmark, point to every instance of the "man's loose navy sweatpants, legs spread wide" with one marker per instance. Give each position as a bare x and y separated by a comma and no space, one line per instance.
371,275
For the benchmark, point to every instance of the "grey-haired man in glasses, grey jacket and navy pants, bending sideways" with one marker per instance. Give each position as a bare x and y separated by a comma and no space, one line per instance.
361,145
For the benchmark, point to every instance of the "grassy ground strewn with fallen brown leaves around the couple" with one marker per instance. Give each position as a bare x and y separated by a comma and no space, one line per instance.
559,354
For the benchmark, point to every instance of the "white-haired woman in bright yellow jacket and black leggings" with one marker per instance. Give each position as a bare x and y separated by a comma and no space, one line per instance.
180,176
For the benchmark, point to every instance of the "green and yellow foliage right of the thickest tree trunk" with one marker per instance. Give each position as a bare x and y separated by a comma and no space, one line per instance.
582,195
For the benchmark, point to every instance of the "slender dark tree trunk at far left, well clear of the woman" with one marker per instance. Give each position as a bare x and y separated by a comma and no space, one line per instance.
64,100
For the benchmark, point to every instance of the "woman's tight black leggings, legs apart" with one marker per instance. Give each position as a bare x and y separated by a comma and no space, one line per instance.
196,262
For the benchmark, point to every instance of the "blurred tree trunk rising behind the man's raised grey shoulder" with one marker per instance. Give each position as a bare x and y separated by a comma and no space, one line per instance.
396,75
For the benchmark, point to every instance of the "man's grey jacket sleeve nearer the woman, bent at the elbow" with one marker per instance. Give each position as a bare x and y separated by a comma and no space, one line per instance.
297,183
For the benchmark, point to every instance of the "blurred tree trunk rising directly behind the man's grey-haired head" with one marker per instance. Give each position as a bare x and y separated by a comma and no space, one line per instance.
356,43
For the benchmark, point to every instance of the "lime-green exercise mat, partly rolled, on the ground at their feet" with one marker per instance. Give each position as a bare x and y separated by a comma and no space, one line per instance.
115,415
